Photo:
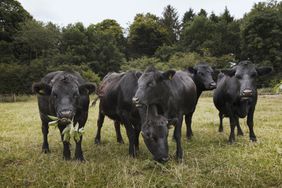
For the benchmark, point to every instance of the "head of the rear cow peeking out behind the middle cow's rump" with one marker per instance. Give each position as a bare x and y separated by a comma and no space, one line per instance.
203,76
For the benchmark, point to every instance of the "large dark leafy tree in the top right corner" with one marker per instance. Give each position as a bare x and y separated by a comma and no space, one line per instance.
261,36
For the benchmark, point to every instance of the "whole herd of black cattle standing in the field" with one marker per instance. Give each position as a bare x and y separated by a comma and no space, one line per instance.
150,102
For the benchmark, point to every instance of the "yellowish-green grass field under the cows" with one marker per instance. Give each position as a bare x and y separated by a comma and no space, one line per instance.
209,161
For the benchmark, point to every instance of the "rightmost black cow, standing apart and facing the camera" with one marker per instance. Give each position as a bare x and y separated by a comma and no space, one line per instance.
236,95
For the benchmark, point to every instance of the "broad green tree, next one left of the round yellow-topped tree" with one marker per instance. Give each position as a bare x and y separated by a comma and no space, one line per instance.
105,47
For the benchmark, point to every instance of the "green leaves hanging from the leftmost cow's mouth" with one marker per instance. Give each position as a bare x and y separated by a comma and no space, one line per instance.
71,131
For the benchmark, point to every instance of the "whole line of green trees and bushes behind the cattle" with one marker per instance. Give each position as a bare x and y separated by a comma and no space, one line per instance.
30,48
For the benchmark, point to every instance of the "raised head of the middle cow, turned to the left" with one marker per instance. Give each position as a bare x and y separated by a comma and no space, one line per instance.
151,89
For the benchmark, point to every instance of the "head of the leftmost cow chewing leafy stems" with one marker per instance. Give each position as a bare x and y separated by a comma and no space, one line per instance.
64,94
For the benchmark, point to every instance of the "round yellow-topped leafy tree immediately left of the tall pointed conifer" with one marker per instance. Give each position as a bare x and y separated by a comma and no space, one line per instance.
146,34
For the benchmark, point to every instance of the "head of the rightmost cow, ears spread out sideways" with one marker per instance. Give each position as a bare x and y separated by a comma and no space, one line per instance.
246,73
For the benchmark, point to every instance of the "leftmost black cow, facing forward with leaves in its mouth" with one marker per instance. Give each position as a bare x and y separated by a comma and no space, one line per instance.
66,96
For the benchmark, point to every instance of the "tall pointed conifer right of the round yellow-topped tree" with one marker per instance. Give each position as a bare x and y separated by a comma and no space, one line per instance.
170,21
